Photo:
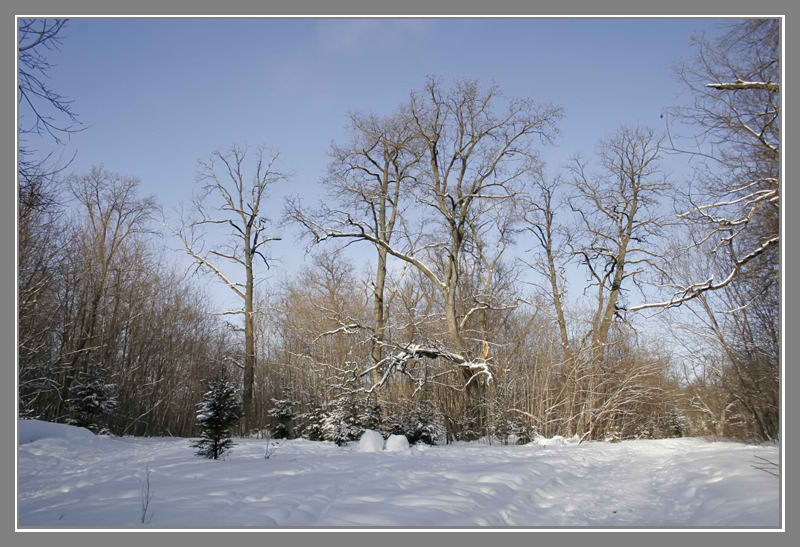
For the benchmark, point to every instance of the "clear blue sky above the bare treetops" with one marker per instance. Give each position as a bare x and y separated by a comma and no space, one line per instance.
157,94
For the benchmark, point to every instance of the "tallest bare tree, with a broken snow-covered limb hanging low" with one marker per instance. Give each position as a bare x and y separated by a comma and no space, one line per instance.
474,148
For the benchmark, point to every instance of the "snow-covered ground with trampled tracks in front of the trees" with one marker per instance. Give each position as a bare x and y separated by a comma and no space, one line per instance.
69,477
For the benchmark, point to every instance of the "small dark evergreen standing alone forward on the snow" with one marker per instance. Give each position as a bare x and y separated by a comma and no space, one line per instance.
220,409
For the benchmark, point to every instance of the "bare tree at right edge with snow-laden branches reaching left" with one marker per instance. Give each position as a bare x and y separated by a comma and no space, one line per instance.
735,82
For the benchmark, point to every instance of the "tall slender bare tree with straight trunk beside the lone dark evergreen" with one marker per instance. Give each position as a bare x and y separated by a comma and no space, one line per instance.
228,198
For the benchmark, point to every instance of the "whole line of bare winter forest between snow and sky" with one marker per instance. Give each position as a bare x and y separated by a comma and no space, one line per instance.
470,319
